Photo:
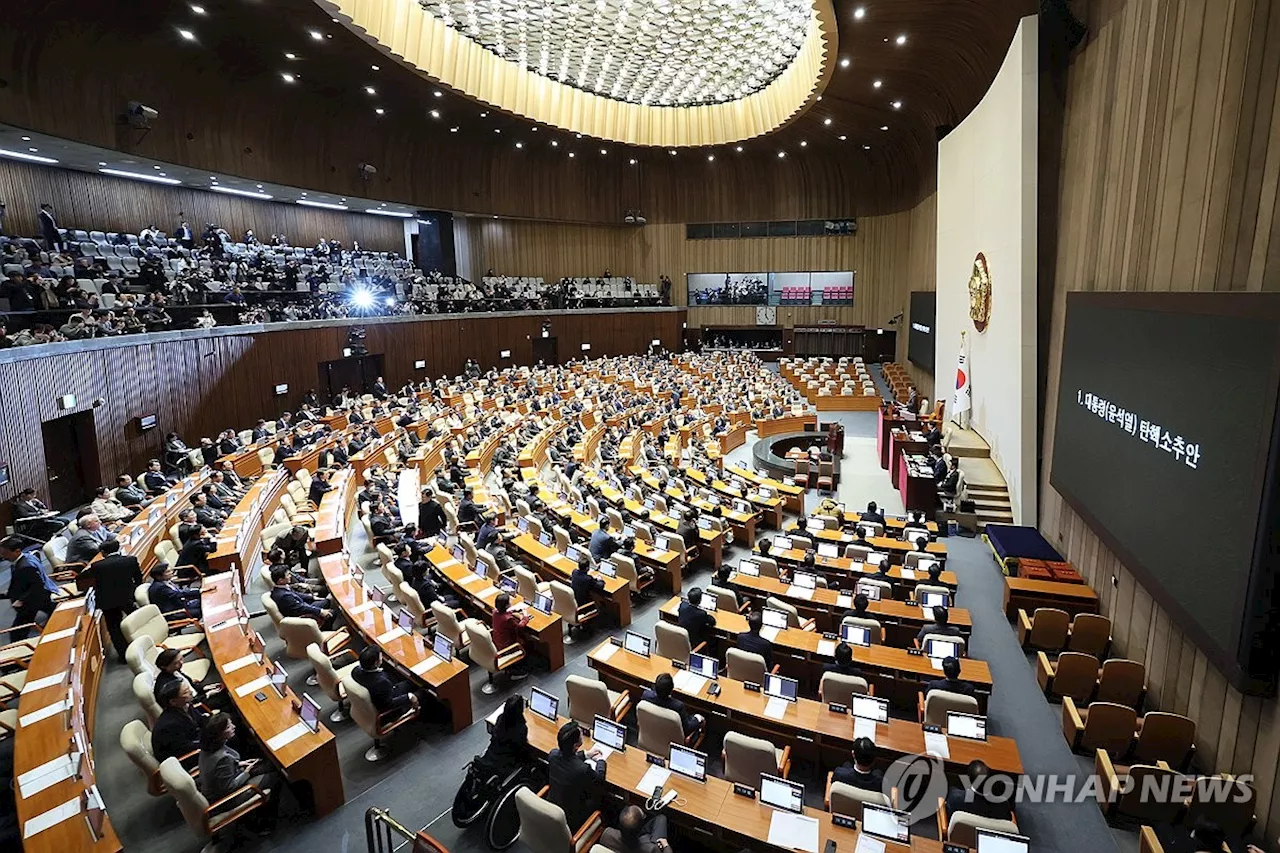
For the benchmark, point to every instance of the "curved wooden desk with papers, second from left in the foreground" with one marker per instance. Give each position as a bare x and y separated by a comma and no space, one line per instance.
309,763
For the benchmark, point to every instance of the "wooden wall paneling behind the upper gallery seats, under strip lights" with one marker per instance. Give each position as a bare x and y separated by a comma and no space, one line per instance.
102,203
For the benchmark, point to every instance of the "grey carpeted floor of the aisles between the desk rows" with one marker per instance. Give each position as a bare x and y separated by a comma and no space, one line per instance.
418,783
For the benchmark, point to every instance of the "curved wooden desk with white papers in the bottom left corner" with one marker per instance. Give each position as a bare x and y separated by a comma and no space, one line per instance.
49,740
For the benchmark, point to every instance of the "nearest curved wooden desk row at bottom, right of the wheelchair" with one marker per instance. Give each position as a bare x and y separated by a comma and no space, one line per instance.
710,809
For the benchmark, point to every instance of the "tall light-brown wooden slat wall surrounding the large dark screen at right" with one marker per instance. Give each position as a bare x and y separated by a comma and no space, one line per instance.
1169,184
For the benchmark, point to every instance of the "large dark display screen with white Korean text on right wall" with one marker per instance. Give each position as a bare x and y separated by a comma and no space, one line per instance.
1163,444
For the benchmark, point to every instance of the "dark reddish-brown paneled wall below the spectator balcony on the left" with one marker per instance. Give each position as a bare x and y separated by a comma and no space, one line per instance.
200,385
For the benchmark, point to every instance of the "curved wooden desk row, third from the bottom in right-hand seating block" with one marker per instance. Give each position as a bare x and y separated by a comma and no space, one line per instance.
898,673
